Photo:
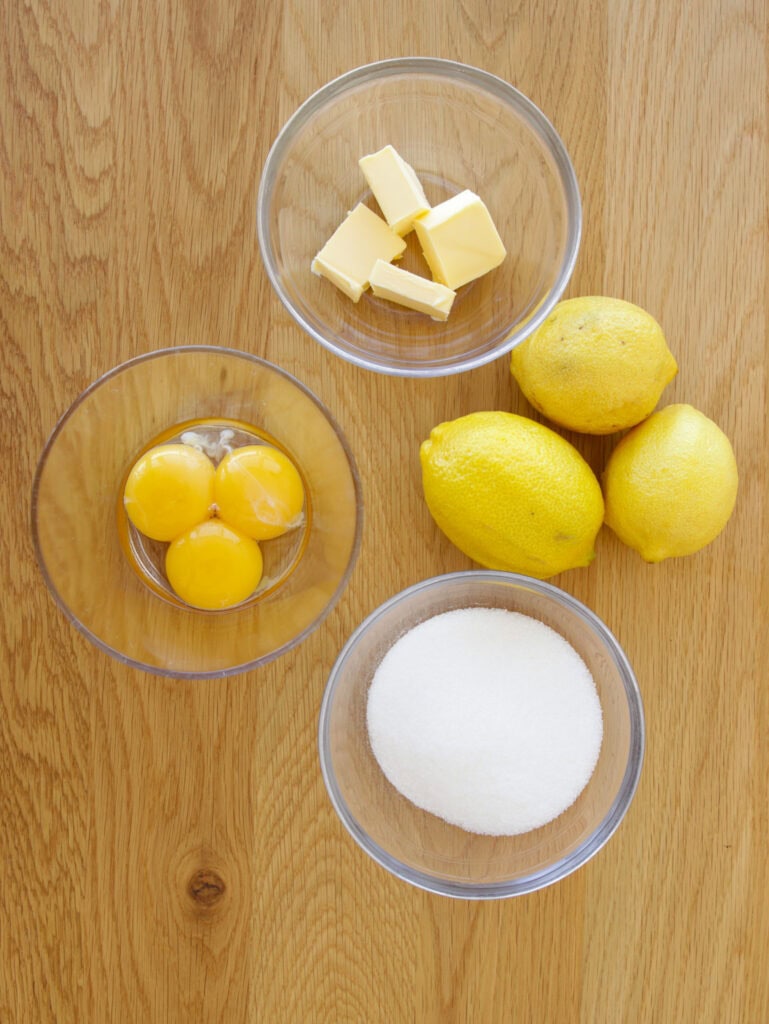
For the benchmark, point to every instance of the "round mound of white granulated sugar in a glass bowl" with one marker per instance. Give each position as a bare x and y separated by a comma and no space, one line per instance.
488,718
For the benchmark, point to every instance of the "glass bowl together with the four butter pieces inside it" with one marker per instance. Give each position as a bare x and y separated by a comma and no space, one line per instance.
419,218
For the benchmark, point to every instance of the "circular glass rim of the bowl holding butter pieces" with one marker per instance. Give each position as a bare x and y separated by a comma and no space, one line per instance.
455,70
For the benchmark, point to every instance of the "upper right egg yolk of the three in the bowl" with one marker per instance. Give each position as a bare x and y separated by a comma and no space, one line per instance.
260,492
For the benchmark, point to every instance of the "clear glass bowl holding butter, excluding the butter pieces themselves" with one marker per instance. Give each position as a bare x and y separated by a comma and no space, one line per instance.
460,129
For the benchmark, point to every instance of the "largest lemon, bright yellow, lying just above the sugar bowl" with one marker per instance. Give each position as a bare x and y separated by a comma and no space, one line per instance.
511,494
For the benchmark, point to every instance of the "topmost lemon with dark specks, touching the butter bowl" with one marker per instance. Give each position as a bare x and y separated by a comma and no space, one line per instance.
596,365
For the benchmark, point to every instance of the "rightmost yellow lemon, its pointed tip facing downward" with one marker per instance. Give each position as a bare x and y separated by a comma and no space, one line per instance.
671,484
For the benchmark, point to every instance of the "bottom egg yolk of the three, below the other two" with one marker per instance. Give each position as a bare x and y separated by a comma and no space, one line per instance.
213,566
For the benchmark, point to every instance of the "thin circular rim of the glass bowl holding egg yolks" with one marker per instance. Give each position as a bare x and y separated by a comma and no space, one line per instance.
59,428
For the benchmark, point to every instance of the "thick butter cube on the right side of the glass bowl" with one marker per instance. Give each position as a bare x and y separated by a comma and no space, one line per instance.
459,240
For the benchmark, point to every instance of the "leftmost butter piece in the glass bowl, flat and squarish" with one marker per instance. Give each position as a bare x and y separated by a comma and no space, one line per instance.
349,258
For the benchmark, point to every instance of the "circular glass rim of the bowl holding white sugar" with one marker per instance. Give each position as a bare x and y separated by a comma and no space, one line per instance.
565,866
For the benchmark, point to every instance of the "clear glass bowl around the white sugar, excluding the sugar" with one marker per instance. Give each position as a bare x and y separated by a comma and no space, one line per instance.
421,848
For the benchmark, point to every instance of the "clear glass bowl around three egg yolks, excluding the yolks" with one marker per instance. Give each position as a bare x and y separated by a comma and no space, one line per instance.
103,573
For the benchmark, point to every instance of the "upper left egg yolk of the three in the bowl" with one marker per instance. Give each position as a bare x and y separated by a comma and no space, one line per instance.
169,490
